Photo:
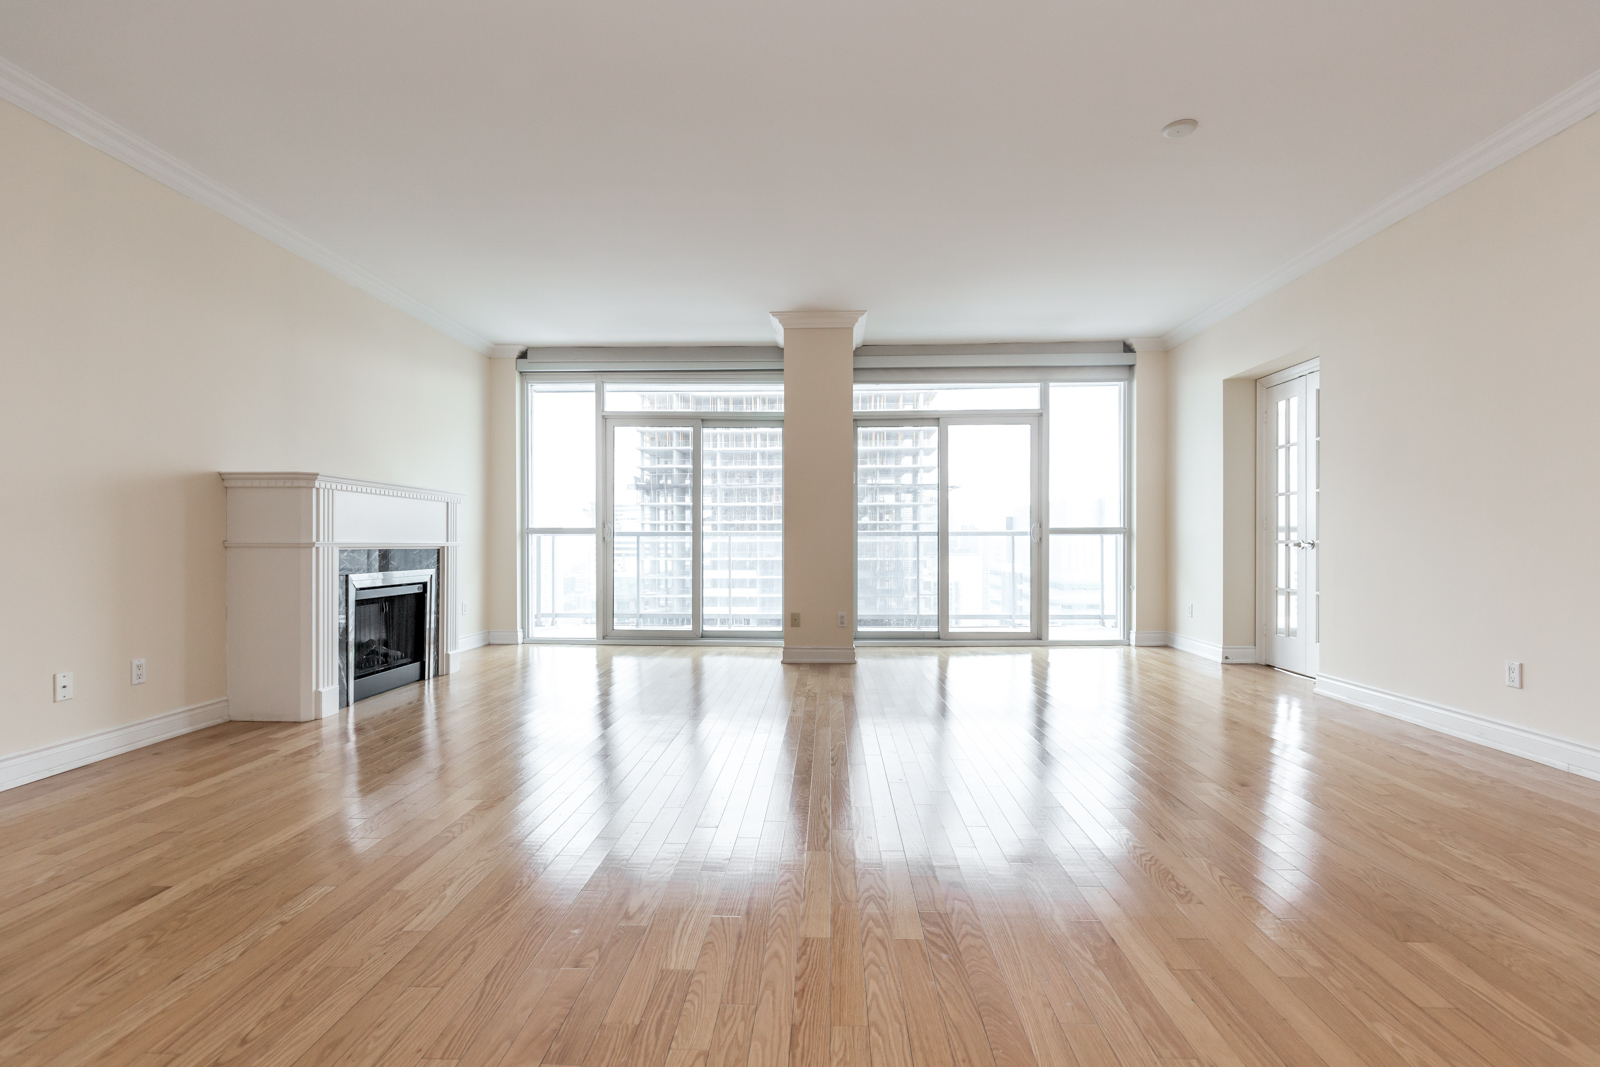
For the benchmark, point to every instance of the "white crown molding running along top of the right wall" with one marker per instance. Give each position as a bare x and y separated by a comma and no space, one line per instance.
1542,124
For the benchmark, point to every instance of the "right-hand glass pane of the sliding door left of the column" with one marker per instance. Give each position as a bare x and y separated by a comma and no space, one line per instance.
743,535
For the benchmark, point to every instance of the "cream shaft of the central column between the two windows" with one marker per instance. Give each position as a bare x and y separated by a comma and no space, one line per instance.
820,506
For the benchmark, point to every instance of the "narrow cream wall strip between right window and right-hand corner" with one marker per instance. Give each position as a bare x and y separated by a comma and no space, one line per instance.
1151,612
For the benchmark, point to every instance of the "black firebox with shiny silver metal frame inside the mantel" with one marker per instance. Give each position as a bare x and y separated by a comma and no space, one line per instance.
390,631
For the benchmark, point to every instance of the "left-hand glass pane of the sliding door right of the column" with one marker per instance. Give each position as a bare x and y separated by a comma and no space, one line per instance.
898,529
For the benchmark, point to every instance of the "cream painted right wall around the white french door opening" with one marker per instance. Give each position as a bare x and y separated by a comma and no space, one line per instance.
1460,362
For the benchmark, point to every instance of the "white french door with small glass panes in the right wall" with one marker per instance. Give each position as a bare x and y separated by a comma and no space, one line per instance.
1290,510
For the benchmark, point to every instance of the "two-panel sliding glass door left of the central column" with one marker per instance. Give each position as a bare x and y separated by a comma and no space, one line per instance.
692,527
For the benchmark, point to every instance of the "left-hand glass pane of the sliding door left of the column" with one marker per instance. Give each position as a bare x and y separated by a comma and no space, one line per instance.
654,543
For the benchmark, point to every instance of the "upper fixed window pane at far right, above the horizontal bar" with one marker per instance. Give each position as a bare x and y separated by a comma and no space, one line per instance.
1086,455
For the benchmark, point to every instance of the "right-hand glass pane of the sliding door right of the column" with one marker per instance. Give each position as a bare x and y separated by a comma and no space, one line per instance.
991,516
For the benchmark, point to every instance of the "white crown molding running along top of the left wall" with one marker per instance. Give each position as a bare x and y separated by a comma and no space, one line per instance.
49,103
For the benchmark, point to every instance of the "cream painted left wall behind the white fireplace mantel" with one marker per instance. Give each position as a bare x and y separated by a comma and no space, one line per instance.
148,343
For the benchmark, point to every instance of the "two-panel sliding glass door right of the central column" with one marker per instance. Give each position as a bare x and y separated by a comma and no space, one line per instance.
950,535
